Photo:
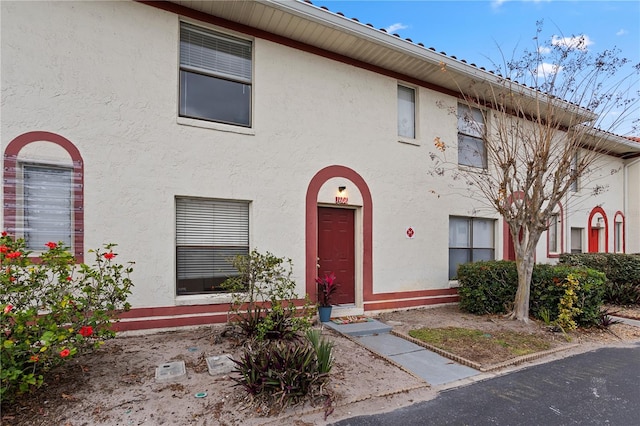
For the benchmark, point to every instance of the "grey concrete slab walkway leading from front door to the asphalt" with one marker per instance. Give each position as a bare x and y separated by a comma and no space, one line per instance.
377,337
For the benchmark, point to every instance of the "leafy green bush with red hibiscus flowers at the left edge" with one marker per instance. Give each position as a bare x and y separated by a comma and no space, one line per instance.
54,309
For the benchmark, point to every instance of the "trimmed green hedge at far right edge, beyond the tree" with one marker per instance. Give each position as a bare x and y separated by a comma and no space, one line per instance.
622,286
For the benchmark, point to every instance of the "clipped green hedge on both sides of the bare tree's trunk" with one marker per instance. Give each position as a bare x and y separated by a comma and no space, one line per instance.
490,288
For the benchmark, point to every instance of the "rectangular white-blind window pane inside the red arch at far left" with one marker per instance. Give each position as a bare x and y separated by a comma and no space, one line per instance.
47,195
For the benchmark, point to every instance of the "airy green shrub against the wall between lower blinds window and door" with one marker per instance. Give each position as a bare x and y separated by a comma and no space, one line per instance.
264,298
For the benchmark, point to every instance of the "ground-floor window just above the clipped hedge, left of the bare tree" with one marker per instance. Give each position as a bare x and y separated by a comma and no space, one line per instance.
471,239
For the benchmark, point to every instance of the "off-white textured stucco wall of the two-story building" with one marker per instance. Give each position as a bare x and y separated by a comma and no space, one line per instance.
105,76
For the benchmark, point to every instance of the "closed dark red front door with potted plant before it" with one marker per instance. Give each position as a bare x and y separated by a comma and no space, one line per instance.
336,248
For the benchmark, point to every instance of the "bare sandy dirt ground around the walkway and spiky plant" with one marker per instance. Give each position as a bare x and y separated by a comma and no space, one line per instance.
117,386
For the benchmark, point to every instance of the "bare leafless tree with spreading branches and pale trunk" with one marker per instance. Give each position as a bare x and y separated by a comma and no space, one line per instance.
531,130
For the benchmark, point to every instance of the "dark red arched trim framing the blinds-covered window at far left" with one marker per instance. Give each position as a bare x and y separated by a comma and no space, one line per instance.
10,163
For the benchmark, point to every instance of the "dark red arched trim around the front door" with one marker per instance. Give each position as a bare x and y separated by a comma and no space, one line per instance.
311,226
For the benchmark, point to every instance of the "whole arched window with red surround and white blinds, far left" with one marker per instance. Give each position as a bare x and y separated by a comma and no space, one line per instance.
43,191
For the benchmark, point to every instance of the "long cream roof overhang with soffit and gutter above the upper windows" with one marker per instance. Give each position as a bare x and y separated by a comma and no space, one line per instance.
317,27
